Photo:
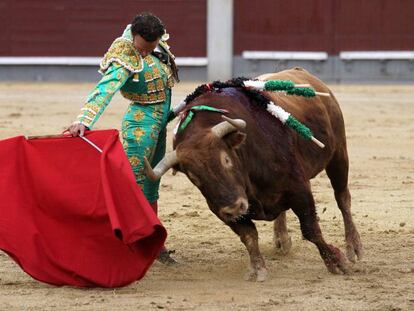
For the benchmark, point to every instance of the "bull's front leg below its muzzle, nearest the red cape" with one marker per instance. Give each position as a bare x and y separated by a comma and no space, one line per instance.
247,231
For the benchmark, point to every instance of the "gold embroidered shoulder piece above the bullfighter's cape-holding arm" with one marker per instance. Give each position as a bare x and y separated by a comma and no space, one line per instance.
123,52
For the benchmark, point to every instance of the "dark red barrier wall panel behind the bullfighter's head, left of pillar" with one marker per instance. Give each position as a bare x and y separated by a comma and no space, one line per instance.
87,28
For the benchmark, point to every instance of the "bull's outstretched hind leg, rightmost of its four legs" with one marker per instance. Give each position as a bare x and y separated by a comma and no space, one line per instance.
337,171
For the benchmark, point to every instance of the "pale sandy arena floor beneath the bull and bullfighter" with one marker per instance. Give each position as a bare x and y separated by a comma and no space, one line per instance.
380,130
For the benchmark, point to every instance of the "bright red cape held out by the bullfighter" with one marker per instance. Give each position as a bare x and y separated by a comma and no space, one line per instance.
70,215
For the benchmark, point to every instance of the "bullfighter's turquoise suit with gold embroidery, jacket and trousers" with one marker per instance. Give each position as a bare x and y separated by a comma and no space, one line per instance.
146,82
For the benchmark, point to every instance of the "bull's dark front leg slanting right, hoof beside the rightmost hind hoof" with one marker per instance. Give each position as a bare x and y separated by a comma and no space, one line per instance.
303,206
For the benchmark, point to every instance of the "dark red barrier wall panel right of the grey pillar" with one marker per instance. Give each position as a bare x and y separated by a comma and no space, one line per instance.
324,25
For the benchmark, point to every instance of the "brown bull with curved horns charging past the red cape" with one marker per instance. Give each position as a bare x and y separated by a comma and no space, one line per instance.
252,167
